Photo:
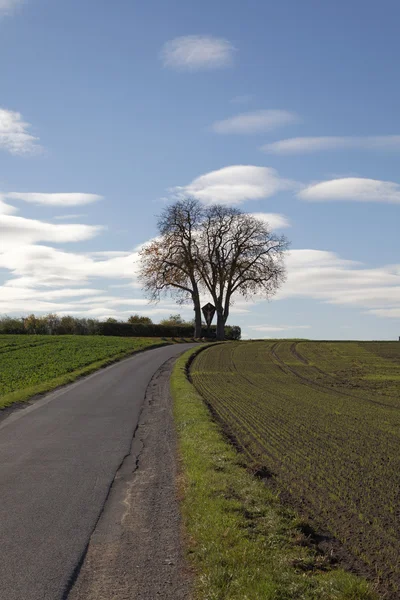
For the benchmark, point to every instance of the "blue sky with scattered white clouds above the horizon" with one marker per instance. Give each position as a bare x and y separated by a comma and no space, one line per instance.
289,110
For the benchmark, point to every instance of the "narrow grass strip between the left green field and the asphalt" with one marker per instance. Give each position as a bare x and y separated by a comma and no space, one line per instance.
27,393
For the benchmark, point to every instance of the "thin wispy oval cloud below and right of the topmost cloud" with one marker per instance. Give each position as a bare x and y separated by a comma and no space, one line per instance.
257,121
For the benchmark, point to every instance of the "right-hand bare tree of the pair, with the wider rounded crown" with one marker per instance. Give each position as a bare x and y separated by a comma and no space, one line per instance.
238,254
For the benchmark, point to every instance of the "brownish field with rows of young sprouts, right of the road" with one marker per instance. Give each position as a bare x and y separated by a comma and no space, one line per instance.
323,420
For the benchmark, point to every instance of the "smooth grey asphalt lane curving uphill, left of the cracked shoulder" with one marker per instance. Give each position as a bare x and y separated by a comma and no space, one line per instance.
58,459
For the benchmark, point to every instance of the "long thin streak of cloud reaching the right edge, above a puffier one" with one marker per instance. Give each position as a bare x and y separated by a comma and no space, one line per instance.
303,145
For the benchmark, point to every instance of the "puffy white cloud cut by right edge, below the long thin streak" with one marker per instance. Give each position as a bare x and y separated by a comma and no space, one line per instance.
356,189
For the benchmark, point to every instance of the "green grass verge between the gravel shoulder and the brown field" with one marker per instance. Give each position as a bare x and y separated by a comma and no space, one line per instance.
242,543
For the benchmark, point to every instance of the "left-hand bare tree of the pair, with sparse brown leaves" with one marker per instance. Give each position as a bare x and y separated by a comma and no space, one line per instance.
169,263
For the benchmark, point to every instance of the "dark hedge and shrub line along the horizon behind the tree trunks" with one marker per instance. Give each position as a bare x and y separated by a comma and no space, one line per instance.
136,325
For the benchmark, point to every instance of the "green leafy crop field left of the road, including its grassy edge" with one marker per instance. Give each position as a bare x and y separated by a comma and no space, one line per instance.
32,364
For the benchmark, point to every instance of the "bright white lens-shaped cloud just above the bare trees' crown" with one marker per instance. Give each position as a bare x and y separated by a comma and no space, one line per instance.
235,184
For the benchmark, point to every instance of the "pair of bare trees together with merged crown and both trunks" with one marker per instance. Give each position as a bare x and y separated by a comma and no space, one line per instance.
217,250
